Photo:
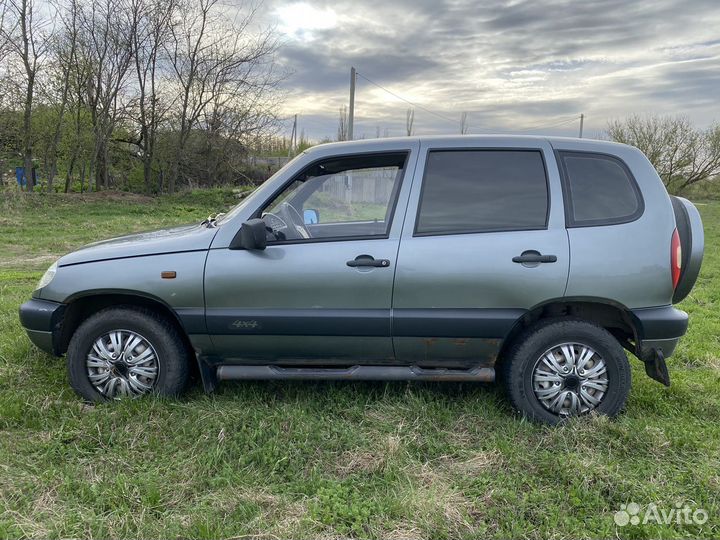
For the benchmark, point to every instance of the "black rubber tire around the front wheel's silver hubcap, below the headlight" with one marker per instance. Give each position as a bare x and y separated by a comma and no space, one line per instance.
172,354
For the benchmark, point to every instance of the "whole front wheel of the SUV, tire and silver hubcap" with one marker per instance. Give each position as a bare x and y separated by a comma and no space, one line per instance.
126,352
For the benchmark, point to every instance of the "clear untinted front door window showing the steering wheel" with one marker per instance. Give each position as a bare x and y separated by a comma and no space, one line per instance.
348,197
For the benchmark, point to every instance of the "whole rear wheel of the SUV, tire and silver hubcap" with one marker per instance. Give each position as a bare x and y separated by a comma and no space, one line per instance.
566,367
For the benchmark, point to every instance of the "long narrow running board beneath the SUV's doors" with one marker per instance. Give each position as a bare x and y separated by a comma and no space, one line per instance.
354,373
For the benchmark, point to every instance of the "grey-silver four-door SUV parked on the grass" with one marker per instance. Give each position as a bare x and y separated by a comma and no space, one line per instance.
534,260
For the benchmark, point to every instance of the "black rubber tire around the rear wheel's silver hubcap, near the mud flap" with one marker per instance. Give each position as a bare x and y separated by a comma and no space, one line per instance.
518,365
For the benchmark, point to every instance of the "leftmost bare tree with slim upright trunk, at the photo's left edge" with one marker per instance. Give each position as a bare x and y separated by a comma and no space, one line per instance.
24,35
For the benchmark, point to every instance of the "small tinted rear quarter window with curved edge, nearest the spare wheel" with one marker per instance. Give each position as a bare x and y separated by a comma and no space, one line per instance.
599,190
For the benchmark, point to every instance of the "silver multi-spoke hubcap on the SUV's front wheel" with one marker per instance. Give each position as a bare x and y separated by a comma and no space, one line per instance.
122,363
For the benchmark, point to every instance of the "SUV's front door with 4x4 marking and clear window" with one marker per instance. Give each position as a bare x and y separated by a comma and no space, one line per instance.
320,293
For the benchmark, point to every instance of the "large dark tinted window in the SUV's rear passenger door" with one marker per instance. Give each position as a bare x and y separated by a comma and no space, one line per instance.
466,191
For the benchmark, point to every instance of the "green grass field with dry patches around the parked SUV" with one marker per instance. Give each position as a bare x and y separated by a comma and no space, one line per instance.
306,460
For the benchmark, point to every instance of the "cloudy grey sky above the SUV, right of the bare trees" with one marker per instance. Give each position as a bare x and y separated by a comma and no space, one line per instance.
511,65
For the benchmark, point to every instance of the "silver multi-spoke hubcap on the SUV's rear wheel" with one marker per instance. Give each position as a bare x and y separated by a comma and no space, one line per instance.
570,379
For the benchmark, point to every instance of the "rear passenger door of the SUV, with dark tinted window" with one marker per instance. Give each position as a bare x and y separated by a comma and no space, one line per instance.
484,241
